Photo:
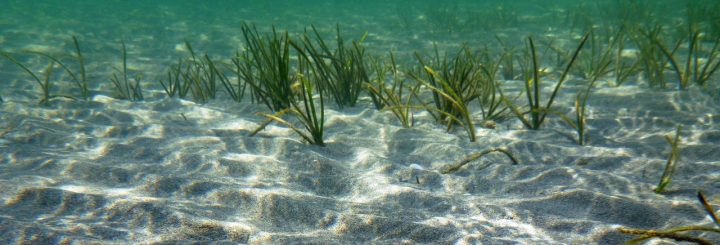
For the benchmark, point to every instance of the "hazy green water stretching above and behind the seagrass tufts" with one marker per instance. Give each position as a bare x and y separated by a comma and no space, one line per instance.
154,29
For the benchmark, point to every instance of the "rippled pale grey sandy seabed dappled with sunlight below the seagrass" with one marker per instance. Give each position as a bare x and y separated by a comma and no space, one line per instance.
169,171
